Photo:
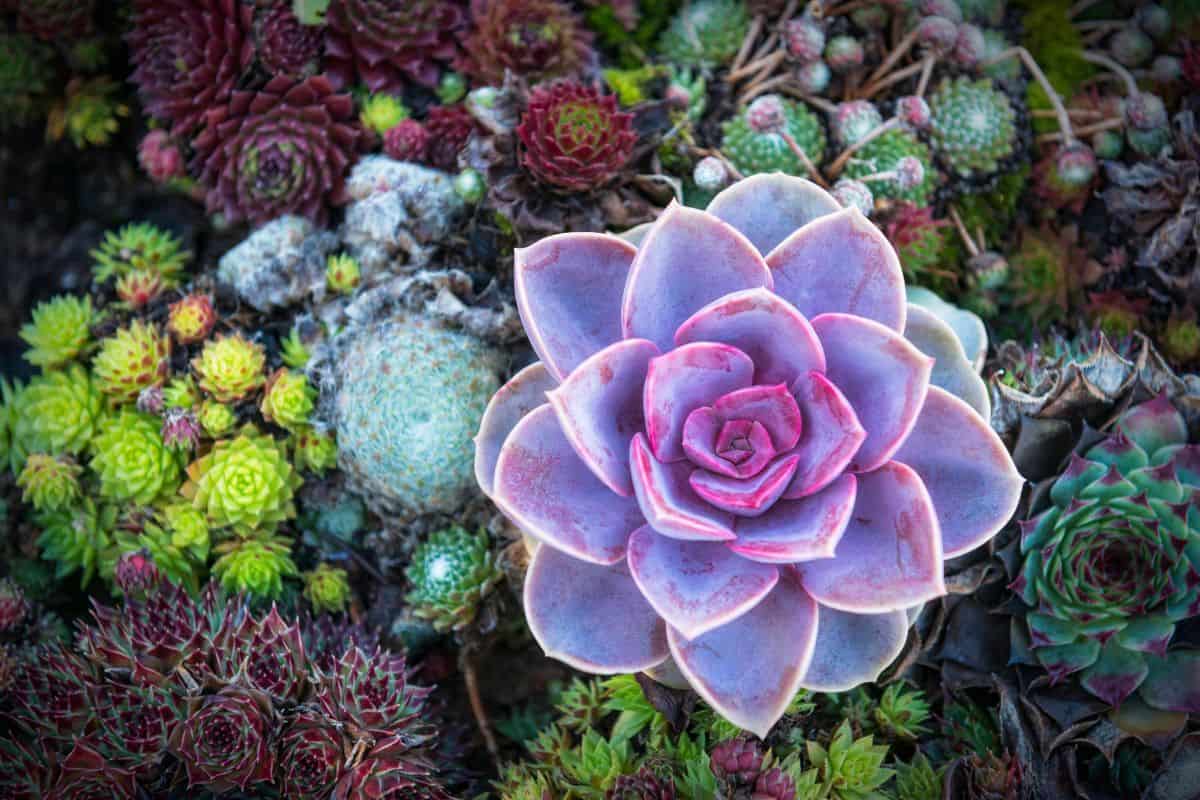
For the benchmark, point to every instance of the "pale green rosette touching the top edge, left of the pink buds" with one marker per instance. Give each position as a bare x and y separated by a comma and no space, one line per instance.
706,34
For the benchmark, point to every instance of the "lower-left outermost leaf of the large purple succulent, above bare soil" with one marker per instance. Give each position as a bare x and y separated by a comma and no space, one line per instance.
592,617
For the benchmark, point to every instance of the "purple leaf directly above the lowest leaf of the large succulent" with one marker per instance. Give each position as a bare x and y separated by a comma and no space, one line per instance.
697,587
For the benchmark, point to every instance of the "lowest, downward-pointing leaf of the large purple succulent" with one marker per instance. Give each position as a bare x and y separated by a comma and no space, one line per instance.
751,670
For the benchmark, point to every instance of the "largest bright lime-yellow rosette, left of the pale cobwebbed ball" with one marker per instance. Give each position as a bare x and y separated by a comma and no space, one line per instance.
245,484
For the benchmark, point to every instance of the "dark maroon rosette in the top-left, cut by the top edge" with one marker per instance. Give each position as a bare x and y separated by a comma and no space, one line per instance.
189,56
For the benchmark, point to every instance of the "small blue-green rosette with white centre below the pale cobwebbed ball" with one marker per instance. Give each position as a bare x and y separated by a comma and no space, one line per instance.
451,573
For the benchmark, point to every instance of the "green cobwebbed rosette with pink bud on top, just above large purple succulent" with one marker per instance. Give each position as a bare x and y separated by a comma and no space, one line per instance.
755,149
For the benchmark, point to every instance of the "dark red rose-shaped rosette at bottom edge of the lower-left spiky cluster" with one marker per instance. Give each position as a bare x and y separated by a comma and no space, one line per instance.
226,741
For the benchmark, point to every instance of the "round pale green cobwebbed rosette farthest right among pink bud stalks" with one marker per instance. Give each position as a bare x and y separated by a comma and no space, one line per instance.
973,127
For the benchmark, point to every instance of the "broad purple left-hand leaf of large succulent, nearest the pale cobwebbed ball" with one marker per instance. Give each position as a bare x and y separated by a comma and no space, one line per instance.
551,495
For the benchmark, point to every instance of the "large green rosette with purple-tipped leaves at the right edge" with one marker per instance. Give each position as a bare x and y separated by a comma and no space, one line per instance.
1114,564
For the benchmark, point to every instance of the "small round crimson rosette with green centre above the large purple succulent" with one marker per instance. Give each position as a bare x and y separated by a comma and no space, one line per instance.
574,137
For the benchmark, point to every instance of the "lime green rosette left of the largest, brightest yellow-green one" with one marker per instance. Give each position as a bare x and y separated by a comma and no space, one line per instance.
131,461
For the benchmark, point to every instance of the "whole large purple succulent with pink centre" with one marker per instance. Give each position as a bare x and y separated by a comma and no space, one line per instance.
743,476
